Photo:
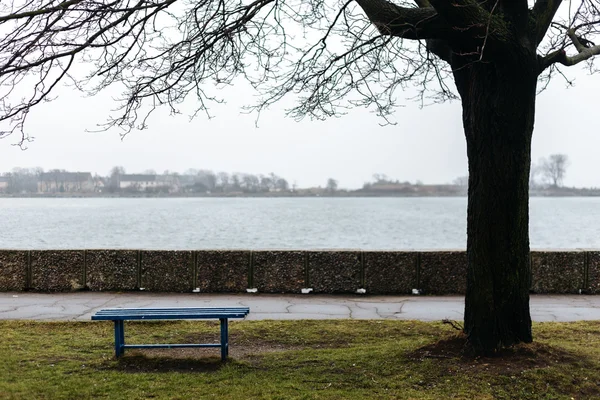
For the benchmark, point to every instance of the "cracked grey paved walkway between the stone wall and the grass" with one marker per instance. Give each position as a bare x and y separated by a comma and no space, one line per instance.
81,305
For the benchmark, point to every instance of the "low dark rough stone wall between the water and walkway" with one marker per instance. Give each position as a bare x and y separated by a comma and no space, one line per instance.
279,271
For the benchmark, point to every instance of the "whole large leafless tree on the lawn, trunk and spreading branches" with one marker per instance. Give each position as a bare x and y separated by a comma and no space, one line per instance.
330,55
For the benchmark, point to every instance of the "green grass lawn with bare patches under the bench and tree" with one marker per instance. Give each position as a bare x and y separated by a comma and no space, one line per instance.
293,360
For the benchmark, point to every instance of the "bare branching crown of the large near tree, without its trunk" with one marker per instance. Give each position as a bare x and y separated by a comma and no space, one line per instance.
324,53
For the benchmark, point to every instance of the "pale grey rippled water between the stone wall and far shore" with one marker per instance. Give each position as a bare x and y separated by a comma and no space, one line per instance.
281,223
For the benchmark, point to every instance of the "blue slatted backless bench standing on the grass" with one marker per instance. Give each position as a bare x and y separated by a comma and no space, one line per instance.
120,315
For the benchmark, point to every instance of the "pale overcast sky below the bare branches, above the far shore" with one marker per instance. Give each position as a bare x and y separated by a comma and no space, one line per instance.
426,144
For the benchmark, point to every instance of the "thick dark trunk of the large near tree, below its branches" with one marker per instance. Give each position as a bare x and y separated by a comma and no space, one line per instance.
498,101
